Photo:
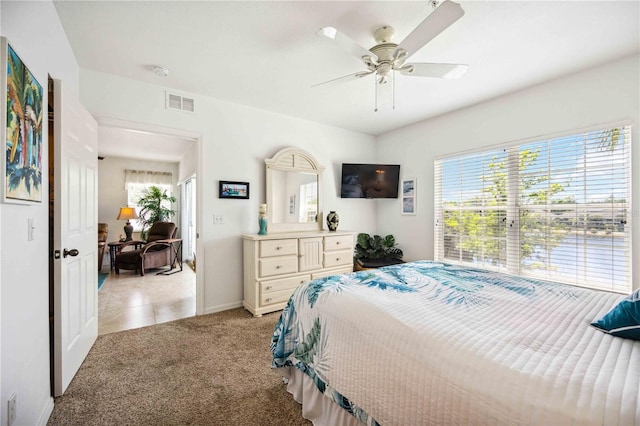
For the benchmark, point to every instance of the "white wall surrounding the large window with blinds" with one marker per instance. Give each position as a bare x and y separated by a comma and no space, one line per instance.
601,95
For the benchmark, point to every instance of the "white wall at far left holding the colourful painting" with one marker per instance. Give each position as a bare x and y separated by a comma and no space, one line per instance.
34,31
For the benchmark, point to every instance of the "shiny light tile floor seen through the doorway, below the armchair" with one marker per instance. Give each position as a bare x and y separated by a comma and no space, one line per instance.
129,301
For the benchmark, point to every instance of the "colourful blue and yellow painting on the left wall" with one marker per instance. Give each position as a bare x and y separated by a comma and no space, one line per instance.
22,123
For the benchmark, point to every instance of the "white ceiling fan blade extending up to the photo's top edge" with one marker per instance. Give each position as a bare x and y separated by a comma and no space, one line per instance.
439,20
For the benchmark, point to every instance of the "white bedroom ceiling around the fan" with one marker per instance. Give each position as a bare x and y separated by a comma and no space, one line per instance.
265,54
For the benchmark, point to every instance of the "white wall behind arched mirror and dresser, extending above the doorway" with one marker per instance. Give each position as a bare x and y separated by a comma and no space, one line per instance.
235,141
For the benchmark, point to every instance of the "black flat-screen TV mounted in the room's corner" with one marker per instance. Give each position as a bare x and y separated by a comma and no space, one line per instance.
370,180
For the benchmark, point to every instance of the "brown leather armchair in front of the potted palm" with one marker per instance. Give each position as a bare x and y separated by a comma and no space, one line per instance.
152,254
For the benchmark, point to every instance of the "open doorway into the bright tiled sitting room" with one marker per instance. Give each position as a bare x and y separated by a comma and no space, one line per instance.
128,300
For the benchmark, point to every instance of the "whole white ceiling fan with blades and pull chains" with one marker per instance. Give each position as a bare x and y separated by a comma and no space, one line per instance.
386,57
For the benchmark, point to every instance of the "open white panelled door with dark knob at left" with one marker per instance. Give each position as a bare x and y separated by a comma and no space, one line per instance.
75,235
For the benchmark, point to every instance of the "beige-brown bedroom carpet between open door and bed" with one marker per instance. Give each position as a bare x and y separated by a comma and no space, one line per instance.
206,370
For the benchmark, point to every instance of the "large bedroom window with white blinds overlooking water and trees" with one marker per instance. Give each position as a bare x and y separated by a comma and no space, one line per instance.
555,209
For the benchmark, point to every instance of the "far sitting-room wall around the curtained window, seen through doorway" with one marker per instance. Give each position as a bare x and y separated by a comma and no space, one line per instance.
112,194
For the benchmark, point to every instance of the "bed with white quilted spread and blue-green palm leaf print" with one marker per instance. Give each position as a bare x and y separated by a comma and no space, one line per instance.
432,343
